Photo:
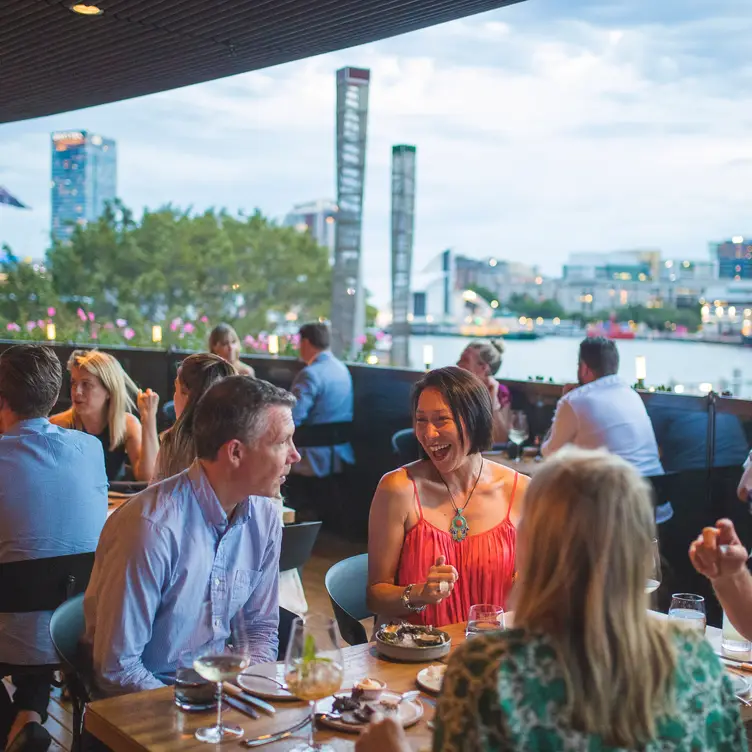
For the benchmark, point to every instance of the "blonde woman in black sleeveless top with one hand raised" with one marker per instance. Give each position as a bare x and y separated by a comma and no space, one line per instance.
102,395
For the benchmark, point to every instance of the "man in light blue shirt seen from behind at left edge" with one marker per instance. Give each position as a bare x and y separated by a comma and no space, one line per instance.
53,502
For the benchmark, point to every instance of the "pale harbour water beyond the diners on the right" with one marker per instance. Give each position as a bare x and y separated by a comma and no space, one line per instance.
688,364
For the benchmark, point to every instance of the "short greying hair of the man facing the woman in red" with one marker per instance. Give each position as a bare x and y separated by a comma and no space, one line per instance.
235,408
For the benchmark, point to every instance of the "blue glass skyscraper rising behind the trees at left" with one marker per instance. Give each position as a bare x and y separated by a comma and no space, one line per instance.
84,178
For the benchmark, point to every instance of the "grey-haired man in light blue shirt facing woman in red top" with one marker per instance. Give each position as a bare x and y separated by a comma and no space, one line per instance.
181,560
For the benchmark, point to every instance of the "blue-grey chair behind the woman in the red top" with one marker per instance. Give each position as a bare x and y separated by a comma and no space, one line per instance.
346,584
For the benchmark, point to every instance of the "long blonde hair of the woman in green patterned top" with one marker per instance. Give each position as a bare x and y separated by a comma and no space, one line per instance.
587,538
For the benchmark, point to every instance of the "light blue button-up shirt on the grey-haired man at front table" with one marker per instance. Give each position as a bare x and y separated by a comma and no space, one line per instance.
171,573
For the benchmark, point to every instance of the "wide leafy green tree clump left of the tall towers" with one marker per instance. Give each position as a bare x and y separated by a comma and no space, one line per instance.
174,263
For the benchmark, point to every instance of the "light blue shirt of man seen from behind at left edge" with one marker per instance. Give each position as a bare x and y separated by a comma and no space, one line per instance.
53,502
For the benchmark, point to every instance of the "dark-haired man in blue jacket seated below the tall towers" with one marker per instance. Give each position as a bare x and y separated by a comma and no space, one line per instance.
324,394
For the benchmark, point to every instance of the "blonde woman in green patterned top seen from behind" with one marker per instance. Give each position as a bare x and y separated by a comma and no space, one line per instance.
586,667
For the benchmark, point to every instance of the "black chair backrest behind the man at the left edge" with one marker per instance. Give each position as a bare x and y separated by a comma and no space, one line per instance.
43,584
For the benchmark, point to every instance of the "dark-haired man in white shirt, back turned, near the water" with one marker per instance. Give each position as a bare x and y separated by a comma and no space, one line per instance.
603,411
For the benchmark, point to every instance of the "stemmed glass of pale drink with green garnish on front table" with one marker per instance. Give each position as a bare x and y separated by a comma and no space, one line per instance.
313,665
